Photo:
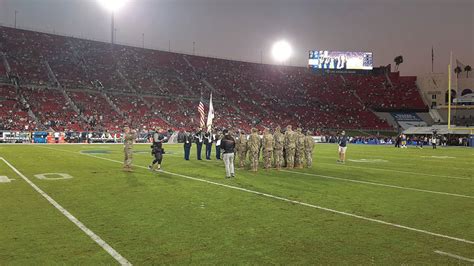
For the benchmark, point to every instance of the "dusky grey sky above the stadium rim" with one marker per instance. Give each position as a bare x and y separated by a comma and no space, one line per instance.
242,29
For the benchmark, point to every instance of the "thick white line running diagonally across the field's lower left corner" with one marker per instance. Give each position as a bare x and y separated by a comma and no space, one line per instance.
119,258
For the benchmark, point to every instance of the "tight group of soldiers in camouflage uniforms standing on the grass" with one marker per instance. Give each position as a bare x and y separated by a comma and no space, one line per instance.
293,149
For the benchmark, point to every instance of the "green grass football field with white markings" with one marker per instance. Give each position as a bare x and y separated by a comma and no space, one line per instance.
384,206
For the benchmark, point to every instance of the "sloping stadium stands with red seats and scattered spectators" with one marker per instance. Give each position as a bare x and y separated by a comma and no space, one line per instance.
63,83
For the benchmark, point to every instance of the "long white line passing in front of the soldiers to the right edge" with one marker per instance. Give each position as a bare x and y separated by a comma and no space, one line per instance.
297,202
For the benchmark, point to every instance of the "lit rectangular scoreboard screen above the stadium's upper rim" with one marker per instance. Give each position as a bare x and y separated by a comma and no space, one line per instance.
340,60
